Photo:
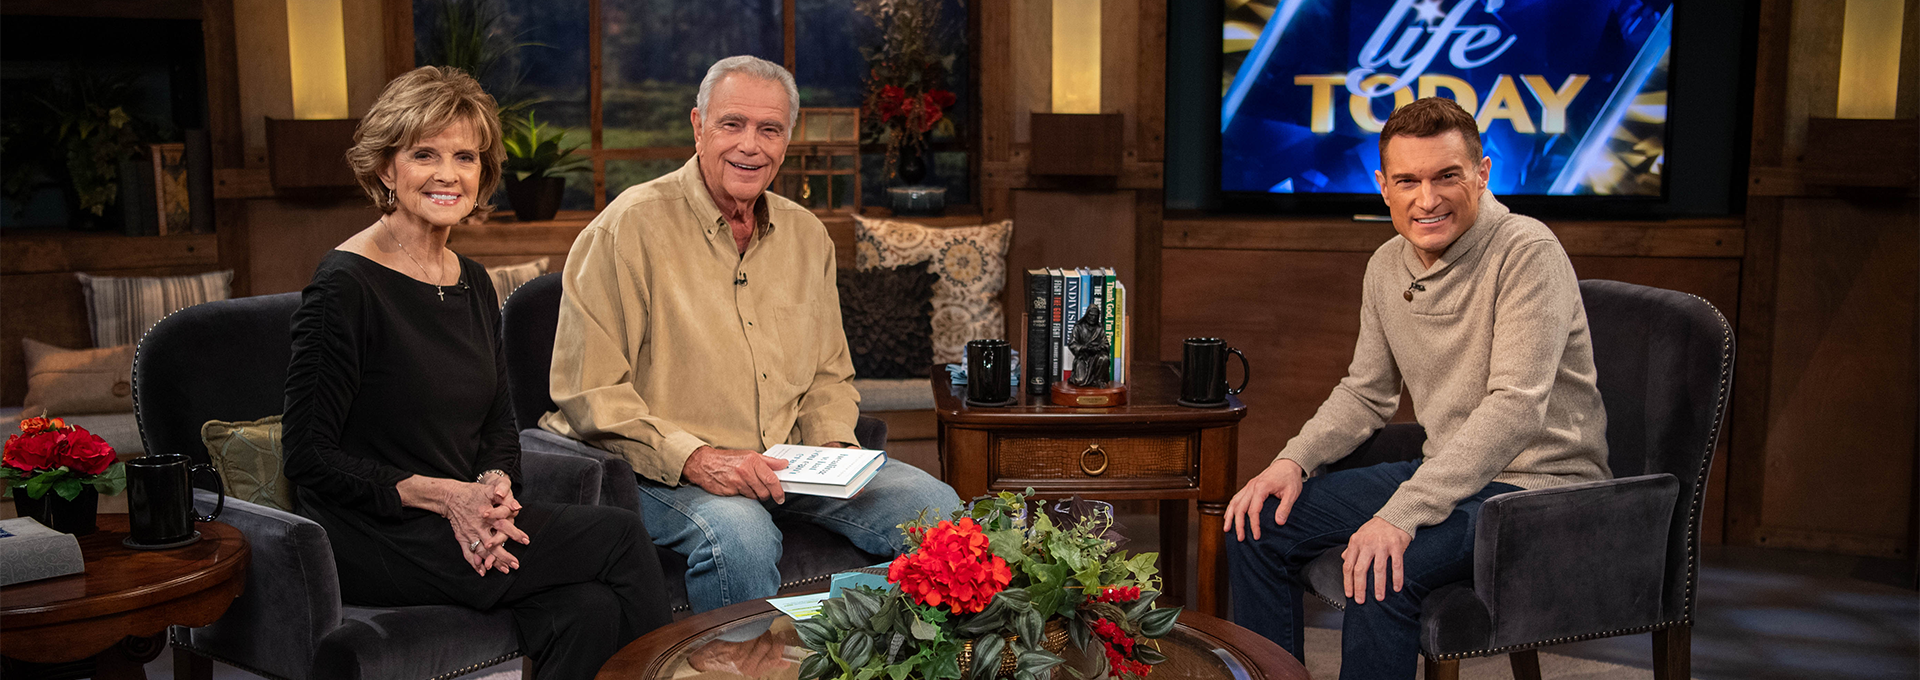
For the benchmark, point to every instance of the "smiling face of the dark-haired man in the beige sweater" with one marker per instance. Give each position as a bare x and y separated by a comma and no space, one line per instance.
1433,189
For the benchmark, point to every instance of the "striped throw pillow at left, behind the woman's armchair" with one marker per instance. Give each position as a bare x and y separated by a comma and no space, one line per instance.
122,308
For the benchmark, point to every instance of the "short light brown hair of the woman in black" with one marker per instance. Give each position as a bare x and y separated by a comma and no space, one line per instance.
416,107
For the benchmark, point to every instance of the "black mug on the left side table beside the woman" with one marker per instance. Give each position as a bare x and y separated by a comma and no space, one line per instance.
160,500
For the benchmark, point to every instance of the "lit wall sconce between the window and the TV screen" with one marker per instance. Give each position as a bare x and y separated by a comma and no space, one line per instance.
1076,139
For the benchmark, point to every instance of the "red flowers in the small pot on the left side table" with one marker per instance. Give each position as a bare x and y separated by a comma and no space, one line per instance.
49,454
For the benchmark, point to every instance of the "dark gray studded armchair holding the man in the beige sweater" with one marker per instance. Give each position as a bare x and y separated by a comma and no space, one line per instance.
1606,558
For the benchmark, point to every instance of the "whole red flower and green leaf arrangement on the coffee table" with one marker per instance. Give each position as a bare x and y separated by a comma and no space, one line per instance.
999,585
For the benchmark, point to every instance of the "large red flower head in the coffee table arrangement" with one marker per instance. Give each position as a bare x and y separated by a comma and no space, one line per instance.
953,568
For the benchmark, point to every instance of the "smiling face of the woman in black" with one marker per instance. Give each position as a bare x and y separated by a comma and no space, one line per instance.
437,180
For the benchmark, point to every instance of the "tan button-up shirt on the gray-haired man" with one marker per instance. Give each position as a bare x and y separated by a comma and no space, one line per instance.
669,339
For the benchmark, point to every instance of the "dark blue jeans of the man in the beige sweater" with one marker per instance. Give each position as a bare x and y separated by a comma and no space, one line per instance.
1380,639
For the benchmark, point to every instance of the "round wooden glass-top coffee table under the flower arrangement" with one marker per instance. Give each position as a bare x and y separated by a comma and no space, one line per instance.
756,641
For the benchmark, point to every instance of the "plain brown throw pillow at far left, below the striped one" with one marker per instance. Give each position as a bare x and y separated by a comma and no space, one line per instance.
78,381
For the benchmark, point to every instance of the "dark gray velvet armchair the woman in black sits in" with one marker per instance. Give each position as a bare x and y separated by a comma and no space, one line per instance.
228,362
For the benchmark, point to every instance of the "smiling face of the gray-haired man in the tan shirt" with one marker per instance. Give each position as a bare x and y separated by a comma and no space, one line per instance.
742,141
